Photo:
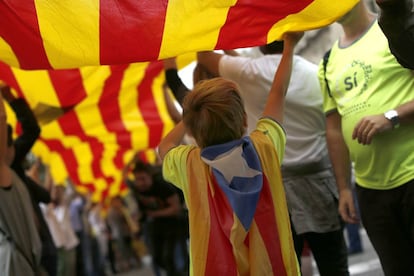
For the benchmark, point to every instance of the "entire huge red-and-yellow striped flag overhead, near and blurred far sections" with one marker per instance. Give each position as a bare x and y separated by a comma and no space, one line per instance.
94,82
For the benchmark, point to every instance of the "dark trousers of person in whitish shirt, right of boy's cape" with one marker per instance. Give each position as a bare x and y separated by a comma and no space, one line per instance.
330,252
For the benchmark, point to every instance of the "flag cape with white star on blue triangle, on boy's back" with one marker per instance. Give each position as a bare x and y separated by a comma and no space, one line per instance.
253,238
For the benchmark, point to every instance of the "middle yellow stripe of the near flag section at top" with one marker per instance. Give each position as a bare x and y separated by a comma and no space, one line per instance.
186,19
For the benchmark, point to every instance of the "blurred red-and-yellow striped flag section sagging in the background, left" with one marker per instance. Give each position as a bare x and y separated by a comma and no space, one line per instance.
93,119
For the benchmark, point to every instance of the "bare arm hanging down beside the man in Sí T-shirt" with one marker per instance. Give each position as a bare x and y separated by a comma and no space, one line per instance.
339,154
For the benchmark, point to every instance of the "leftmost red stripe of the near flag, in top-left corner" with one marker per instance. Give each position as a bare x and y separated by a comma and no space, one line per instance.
20,29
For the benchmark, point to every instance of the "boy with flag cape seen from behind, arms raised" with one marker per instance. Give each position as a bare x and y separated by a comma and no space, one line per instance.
239,224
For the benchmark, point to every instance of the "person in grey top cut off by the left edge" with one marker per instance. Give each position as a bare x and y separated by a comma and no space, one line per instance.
20,245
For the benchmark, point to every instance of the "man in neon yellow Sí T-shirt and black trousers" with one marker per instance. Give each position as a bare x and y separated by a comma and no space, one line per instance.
369,108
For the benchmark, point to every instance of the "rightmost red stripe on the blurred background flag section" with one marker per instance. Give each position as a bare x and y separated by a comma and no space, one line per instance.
147,104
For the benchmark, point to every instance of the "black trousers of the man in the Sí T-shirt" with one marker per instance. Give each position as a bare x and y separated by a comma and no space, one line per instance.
388,218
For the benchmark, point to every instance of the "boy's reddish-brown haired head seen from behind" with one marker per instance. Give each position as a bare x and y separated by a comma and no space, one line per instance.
214,112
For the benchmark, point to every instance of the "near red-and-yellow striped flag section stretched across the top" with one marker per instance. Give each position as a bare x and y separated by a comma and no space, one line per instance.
54,34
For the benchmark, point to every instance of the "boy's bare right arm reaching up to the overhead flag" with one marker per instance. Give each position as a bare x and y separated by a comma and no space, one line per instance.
275,101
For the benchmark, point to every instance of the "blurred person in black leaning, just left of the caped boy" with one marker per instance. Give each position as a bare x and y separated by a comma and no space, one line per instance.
162,216
